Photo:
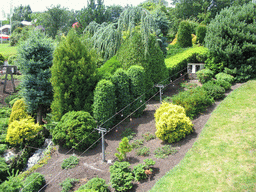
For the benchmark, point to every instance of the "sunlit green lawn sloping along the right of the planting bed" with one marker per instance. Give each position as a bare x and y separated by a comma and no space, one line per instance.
223,158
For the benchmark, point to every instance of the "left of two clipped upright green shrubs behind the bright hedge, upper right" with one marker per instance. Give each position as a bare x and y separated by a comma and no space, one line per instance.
184,38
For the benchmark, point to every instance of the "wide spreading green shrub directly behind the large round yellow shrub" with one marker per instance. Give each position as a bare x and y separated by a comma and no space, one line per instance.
194,101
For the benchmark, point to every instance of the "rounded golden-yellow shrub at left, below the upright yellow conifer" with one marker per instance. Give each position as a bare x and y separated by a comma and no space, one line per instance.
22,131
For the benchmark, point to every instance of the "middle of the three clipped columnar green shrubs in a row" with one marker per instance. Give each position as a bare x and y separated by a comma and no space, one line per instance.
122,91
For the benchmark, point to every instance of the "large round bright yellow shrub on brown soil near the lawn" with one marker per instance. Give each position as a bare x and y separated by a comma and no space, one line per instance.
172,124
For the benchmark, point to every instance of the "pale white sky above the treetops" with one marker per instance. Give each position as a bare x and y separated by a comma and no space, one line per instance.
41,5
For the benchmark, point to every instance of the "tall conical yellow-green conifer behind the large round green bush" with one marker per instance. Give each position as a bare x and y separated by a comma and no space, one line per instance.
72,69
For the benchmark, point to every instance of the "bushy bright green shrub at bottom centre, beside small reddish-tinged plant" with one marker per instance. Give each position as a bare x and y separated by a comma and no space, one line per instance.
121,176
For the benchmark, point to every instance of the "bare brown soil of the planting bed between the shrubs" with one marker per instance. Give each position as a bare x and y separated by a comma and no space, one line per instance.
90,162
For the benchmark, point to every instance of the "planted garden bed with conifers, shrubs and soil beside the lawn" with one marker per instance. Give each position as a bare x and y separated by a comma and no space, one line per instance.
107,80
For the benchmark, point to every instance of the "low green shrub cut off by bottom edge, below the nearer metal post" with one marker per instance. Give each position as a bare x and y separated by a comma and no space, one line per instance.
97,184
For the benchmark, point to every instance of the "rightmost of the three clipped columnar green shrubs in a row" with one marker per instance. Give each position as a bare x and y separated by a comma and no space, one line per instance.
137,88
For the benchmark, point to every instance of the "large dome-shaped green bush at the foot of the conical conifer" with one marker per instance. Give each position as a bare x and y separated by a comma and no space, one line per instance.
74,130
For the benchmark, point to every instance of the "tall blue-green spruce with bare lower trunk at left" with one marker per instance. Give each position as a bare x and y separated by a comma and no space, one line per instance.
35,60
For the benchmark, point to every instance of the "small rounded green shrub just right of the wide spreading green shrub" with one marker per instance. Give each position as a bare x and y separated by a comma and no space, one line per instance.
214,90
